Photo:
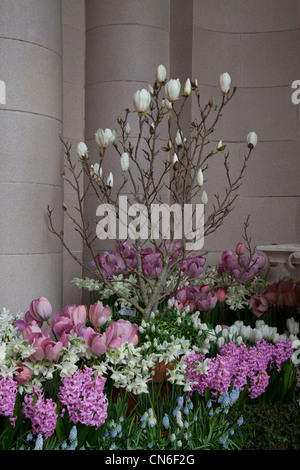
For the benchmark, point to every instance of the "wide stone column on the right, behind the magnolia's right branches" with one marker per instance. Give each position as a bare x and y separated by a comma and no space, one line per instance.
258,44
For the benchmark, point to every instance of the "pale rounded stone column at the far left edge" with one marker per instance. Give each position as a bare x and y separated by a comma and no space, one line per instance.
31,152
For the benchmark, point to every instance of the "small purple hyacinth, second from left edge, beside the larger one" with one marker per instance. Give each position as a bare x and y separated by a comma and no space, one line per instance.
41,412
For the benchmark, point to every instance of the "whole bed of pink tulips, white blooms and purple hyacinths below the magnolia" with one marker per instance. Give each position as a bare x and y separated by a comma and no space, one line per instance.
80,377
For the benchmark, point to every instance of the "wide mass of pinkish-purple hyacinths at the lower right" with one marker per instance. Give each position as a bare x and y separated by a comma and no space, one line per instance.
237,365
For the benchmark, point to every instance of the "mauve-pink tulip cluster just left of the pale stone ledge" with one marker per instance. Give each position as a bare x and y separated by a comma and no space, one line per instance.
239,265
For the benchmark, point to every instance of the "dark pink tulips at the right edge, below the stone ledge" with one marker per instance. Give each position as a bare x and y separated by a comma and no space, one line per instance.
283,292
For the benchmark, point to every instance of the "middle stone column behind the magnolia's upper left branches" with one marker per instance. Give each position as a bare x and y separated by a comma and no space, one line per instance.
125,42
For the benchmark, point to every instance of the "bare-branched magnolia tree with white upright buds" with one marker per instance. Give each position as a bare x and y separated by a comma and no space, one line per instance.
160,224
